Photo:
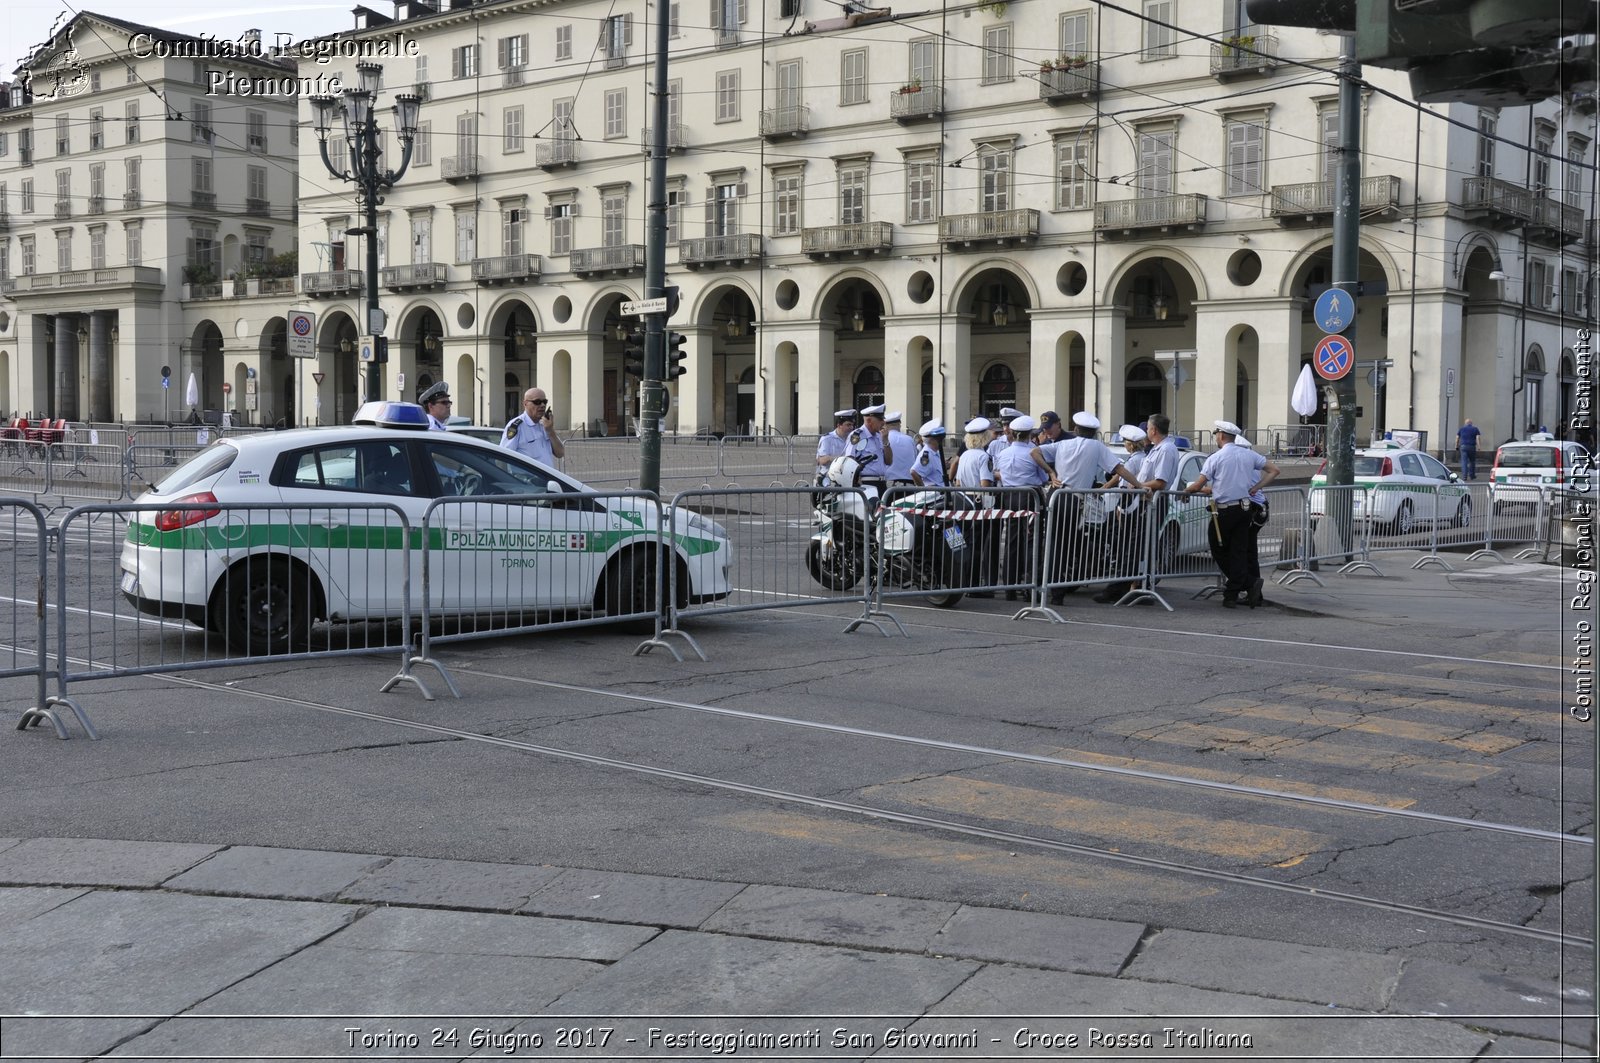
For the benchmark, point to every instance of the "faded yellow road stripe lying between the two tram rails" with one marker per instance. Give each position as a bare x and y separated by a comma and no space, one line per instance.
1234,840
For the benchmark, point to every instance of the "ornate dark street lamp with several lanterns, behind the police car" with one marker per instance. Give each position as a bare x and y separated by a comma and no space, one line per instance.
359,116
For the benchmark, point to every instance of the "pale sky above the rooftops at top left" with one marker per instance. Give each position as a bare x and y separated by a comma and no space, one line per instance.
30,23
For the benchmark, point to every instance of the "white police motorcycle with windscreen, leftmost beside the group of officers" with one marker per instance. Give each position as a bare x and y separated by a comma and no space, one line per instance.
921,550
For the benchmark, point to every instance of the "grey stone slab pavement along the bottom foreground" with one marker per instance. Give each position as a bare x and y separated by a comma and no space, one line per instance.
154,950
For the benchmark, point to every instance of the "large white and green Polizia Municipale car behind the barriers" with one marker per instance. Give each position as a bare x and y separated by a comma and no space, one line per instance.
268,534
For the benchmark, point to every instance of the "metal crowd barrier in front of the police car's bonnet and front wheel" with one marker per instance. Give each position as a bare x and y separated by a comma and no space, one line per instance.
490,566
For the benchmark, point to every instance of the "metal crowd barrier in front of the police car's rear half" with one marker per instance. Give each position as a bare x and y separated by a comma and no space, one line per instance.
230,592
